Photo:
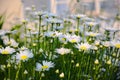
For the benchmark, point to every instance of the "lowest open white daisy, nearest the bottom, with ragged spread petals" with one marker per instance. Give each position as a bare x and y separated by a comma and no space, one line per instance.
45,66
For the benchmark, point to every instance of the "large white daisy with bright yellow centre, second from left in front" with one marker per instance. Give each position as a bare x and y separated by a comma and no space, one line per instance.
24,55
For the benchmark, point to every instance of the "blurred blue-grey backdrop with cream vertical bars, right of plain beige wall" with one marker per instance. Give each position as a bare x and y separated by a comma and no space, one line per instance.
107,8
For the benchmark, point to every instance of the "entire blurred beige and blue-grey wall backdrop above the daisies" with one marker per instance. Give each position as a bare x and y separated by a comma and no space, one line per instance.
14,9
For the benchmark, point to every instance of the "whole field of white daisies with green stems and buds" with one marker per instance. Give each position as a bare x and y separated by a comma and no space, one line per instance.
45,46
